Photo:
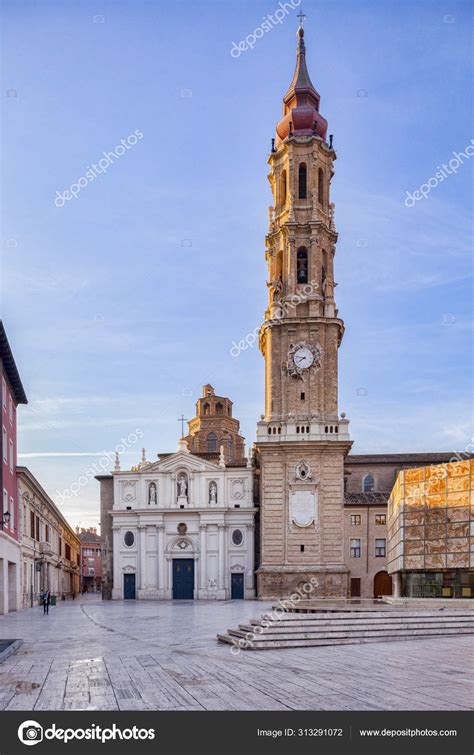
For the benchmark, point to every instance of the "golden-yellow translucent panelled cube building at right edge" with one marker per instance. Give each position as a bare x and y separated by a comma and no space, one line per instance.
431,531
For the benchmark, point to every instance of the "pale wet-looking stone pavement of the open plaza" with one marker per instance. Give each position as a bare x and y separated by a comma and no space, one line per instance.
132,655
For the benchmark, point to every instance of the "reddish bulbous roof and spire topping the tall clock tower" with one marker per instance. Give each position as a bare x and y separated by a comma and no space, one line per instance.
301,113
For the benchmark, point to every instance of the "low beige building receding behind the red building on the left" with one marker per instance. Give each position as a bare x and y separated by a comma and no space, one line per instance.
50,549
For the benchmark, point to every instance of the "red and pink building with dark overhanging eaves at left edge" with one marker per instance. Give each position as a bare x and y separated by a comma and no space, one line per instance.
10,555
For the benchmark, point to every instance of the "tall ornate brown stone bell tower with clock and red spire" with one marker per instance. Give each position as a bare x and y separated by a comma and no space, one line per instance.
301,441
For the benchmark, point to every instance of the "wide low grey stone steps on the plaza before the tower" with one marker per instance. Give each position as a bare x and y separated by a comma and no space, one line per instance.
345,627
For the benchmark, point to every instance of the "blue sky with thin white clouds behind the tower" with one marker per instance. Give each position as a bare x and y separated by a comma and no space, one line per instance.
121,303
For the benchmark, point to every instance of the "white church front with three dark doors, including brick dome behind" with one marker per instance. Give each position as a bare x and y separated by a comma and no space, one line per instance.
181,527
